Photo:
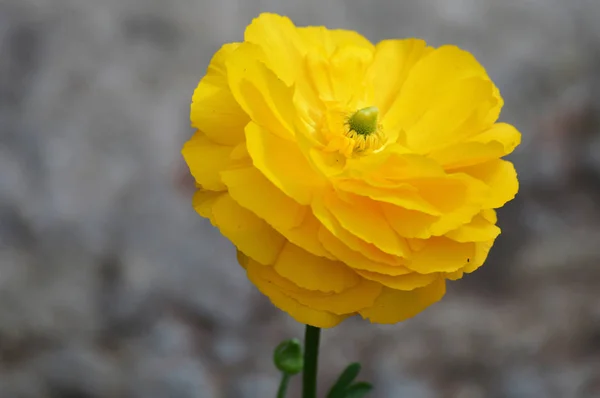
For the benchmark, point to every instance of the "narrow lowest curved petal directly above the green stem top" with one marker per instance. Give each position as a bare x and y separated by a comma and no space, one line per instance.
301,313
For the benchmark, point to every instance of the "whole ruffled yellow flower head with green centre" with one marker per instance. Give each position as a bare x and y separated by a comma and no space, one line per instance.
353,178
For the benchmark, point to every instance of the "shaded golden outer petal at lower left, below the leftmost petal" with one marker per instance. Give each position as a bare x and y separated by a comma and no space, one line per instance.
249,234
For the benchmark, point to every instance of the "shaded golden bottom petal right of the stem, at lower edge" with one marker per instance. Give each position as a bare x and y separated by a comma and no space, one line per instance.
394,306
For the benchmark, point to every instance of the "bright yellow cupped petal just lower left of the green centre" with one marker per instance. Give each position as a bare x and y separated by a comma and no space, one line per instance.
283,163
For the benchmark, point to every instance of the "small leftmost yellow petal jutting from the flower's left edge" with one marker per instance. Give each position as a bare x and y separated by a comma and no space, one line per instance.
205,160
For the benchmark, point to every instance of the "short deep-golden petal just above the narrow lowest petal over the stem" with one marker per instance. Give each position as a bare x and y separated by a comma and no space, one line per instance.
313,273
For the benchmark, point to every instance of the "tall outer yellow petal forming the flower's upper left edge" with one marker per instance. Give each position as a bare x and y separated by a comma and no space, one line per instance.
214,111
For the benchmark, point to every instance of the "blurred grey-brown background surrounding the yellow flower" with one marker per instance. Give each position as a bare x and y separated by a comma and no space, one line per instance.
112,287
